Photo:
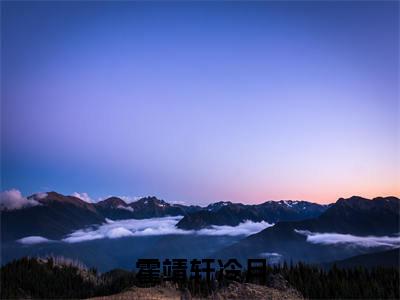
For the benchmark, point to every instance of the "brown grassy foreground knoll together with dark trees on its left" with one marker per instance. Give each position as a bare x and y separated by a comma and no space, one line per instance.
63,278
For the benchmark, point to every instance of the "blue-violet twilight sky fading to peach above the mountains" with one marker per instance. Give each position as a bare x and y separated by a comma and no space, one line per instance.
201,101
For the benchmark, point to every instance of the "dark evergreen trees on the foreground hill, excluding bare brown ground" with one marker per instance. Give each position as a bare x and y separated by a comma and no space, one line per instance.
62,278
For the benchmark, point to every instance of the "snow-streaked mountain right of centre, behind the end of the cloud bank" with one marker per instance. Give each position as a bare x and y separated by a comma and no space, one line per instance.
228,213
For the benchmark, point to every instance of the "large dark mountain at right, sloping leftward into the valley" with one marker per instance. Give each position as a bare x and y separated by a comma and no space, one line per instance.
347,217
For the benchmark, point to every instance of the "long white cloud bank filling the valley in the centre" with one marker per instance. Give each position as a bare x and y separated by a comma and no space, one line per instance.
157,226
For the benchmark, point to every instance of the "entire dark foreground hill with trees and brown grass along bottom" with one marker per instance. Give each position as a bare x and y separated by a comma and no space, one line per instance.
50,278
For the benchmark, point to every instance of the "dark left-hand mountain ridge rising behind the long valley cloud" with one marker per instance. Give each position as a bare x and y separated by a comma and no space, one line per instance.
57,215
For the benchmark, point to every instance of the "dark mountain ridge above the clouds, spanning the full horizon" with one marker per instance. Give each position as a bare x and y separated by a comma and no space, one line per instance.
58,215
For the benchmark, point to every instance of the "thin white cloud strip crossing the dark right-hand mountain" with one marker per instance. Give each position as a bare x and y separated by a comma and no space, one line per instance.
352,240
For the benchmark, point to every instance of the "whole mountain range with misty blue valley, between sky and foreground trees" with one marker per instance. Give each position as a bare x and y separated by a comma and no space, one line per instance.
301,231
